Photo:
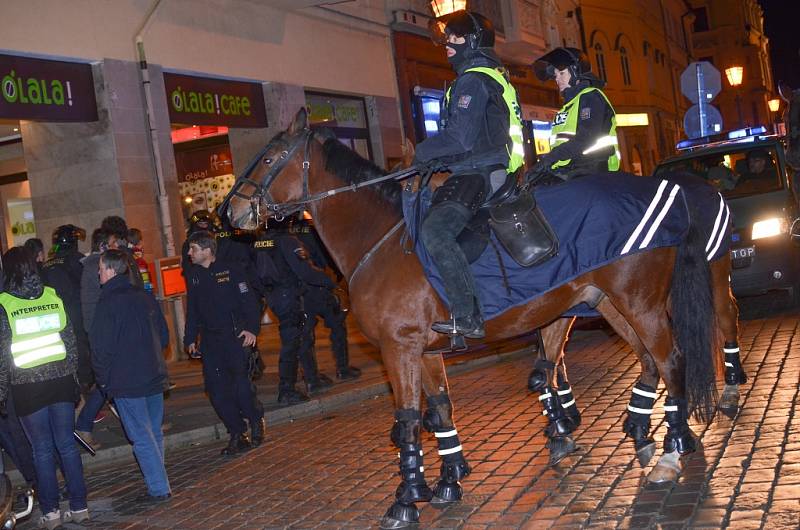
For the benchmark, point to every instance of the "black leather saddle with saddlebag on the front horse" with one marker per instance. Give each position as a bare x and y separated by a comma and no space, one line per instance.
512,214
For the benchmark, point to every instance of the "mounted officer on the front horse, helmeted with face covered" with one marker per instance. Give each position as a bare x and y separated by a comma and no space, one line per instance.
480,143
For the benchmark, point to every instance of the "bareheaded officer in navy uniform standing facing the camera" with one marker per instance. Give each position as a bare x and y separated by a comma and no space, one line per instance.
223,310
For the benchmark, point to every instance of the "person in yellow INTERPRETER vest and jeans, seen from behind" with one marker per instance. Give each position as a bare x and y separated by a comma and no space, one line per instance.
38,365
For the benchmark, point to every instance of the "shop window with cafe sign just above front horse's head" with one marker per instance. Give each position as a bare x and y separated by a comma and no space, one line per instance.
345,116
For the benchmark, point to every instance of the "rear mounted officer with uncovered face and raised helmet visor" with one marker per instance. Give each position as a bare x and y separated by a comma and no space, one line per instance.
584,135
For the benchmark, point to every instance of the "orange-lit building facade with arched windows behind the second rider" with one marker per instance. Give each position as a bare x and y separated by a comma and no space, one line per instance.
641,47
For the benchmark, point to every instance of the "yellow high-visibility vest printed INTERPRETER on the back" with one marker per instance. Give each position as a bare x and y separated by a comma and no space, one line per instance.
36,327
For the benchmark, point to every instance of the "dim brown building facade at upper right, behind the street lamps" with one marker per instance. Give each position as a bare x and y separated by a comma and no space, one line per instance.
731,33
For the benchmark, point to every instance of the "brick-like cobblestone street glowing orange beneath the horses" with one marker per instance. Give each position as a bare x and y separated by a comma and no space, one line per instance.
341,470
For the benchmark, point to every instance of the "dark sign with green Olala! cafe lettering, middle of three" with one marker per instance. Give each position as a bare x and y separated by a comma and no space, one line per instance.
207,101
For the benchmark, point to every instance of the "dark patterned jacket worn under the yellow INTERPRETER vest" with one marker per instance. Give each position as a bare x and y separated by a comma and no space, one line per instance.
9,373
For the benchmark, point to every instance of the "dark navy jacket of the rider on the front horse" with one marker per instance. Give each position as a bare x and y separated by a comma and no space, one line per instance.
476,128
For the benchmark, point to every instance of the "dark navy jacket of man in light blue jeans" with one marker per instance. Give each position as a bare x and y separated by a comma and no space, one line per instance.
128,335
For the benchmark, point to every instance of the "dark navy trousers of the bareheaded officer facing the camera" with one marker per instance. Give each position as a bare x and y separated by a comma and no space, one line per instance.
227,381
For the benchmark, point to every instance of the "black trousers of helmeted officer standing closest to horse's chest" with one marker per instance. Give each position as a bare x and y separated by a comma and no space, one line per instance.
321,302
